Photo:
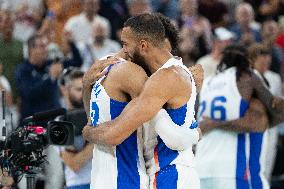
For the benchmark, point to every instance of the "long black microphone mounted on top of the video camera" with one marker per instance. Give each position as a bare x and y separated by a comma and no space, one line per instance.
46,115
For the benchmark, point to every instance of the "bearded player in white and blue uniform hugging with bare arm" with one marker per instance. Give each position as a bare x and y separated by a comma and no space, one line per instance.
171,86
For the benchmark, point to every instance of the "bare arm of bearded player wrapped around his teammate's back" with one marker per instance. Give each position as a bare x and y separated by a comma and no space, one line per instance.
140,110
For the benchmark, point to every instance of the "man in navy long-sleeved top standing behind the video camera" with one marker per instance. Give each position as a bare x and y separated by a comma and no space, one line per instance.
36,79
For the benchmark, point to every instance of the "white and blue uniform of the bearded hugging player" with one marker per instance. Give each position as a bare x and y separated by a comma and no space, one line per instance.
169,168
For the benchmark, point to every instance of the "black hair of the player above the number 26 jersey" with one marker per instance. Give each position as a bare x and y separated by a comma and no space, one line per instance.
235,55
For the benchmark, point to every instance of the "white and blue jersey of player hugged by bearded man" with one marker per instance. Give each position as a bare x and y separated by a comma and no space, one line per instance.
122,166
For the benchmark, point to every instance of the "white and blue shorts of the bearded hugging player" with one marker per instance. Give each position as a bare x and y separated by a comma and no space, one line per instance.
175,177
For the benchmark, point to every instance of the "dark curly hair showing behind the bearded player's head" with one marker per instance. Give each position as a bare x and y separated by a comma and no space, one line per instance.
171,31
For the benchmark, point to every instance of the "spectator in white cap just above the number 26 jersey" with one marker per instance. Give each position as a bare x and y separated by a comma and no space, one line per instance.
209,63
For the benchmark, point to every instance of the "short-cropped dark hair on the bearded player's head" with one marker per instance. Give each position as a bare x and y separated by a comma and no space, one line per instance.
147,26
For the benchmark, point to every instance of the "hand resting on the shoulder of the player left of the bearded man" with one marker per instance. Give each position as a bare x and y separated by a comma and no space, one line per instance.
97,70
